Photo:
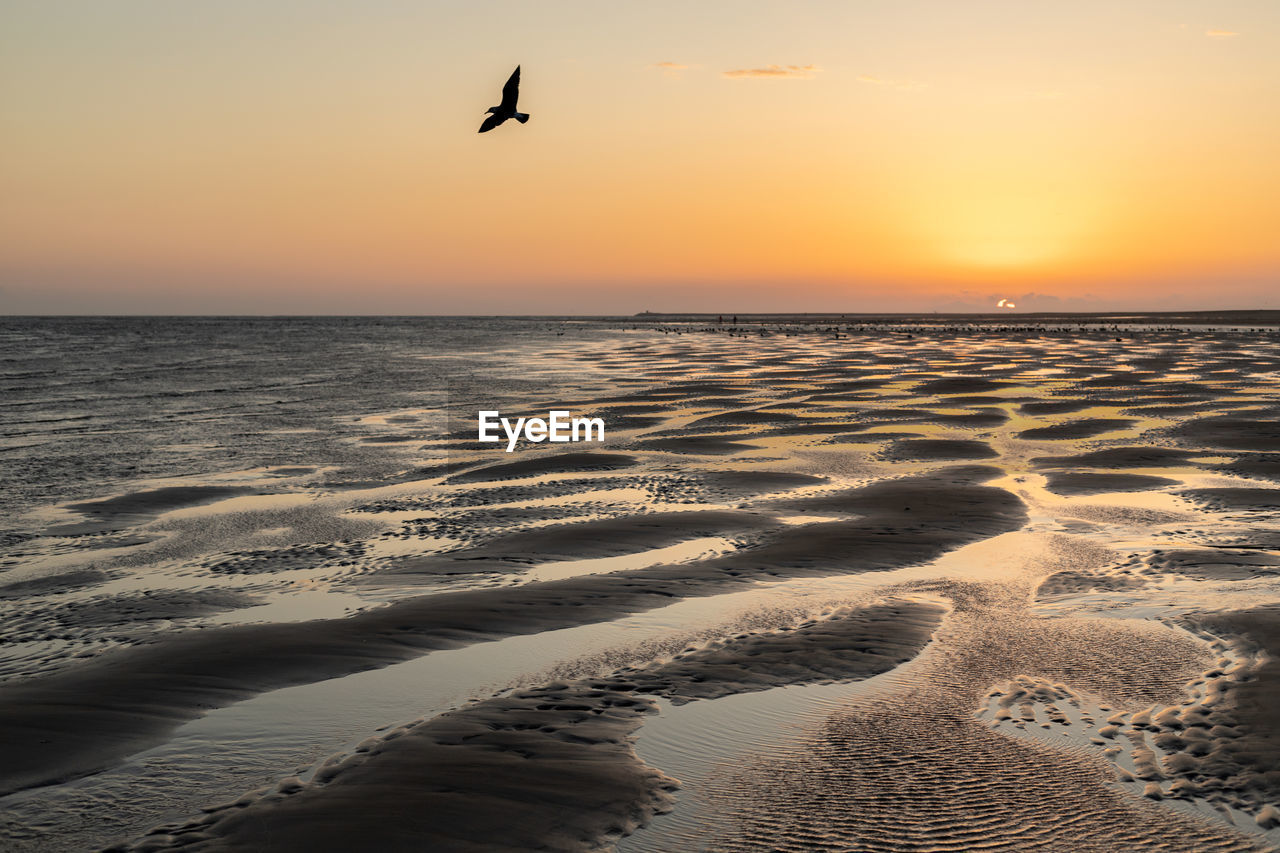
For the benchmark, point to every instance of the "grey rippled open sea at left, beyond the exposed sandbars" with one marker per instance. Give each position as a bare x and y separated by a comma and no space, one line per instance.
93,405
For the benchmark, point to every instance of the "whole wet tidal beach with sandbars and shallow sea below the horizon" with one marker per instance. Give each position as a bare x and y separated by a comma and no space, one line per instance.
828,583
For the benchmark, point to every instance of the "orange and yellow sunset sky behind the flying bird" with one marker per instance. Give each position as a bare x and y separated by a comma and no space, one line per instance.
317,157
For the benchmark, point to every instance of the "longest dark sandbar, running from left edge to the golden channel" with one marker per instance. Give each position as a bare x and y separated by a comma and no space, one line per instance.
86,719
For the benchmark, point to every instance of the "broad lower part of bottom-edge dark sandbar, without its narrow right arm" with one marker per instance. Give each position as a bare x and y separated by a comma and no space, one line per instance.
548,769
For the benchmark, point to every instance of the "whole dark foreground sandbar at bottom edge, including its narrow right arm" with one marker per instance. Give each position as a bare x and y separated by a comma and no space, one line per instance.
550,768
